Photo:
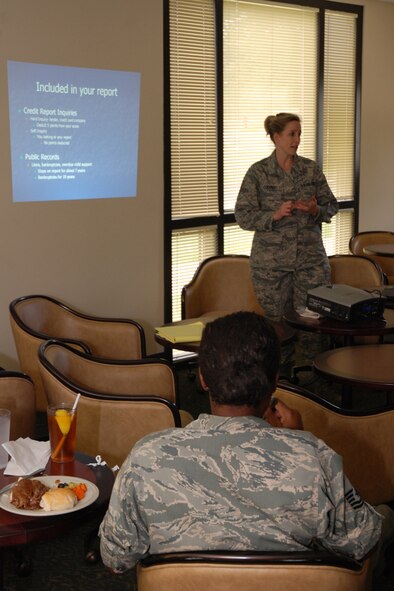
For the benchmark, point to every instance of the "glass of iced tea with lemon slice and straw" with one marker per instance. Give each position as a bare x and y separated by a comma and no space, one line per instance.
62,424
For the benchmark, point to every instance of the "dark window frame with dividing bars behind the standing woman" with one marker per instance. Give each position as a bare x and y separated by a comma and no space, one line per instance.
219,221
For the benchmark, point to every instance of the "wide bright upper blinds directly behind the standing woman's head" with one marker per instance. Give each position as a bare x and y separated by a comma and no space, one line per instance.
269,66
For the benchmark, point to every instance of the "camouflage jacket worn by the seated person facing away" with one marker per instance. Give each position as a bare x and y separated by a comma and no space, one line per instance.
233,483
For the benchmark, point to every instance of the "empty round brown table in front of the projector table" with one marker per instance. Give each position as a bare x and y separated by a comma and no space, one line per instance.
369,366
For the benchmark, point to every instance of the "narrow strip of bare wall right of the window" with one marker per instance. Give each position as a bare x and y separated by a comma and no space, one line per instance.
377,120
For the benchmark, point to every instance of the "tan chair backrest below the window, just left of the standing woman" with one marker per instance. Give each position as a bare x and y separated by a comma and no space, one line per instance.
221,284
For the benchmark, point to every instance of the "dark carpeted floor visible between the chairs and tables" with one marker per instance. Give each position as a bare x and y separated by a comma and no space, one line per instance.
60,564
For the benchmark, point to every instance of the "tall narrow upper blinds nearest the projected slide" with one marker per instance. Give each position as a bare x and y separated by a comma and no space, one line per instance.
194,186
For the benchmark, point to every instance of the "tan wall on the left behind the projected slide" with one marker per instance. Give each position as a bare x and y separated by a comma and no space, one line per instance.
102,256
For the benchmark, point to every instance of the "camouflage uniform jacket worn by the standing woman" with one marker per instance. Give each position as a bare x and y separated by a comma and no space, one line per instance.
286,242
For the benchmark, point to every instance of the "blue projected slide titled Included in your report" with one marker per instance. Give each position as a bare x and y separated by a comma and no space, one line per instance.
74,132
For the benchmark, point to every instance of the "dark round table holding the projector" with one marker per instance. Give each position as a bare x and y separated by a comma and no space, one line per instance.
348,330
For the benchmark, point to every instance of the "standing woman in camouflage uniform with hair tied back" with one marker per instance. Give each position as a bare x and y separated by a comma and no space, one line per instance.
283,199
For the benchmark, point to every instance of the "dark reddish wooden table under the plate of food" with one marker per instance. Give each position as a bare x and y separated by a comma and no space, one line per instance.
20,530
